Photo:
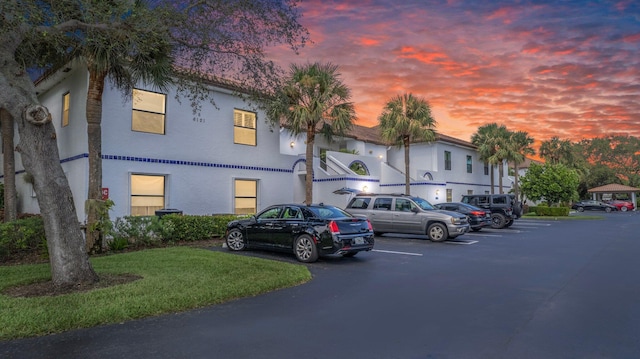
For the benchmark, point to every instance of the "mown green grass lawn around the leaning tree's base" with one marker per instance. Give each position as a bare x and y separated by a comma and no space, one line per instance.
172,280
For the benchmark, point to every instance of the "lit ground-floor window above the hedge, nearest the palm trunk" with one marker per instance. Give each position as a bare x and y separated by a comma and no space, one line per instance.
147,194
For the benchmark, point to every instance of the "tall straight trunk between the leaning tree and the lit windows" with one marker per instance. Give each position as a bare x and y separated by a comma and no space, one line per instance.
94,133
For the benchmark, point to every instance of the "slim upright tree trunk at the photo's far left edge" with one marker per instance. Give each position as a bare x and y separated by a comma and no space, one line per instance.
9,167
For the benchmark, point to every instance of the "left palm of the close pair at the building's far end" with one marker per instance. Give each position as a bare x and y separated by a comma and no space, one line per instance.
490,140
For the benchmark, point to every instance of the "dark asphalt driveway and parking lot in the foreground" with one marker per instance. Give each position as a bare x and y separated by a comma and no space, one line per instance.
540,289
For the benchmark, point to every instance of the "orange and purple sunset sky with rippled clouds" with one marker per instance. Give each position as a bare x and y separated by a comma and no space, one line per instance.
552,68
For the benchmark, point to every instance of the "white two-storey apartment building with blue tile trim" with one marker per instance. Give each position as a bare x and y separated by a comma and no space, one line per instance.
157,154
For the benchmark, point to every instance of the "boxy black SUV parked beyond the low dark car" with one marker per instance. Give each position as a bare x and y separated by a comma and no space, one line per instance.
504,207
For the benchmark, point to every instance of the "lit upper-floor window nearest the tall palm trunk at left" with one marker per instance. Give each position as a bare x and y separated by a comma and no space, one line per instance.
148,112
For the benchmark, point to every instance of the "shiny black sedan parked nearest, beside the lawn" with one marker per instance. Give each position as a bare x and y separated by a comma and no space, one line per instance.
307,231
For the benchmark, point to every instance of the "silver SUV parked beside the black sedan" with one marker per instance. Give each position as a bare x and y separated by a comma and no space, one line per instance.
399,213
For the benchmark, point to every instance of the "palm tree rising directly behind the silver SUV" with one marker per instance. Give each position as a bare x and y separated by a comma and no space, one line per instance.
407,119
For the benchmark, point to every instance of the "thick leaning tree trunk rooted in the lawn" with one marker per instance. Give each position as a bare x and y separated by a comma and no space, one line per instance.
66,245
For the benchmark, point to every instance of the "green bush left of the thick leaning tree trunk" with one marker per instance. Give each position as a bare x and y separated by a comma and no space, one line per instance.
23,235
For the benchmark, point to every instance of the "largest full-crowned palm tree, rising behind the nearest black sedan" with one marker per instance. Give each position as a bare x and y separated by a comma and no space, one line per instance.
312,98
